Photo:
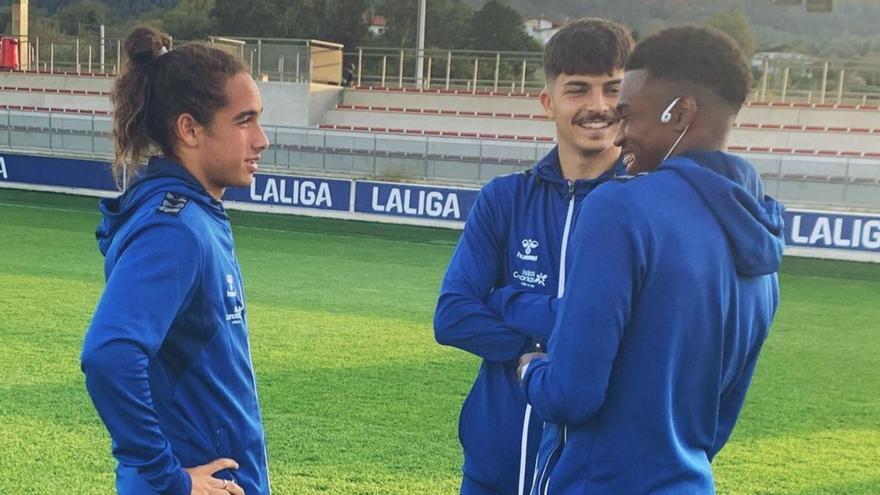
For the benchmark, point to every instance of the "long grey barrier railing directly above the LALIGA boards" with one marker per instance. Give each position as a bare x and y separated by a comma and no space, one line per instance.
818,180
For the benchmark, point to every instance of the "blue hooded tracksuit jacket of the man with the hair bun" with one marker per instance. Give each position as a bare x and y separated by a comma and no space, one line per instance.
166,357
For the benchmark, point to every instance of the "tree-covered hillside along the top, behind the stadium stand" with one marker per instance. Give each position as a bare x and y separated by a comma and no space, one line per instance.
849,32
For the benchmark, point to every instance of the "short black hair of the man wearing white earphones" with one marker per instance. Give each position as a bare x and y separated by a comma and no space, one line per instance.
698,55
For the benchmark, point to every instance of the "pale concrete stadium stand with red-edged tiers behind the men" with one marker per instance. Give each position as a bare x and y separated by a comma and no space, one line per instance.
808,153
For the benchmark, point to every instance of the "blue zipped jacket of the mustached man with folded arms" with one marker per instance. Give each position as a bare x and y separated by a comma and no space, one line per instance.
497,300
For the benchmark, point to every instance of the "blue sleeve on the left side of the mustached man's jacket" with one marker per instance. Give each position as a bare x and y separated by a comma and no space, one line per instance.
463,317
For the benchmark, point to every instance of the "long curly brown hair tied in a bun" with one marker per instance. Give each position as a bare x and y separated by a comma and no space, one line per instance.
159,84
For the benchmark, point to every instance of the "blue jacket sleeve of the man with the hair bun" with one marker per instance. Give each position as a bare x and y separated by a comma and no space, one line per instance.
153,278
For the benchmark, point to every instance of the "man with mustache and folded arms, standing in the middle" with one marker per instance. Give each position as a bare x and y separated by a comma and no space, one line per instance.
498,297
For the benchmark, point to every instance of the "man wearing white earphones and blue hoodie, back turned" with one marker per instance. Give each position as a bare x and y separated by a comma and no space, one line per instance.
671,291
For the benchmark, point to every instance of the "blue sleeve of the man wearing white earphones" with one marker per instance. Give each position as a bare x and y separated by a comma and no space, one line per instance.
569,386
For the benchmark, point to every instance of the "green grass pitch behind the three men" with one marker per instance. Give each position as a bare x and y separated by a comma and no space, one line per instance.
359,399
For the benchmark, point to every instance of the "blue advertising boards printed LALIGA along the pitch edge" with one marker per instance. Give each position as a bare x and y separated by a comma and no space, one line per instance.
812,233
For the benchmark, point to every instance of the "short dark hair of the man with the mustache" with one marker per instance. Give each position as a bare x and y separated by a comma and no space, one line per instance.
587,46
